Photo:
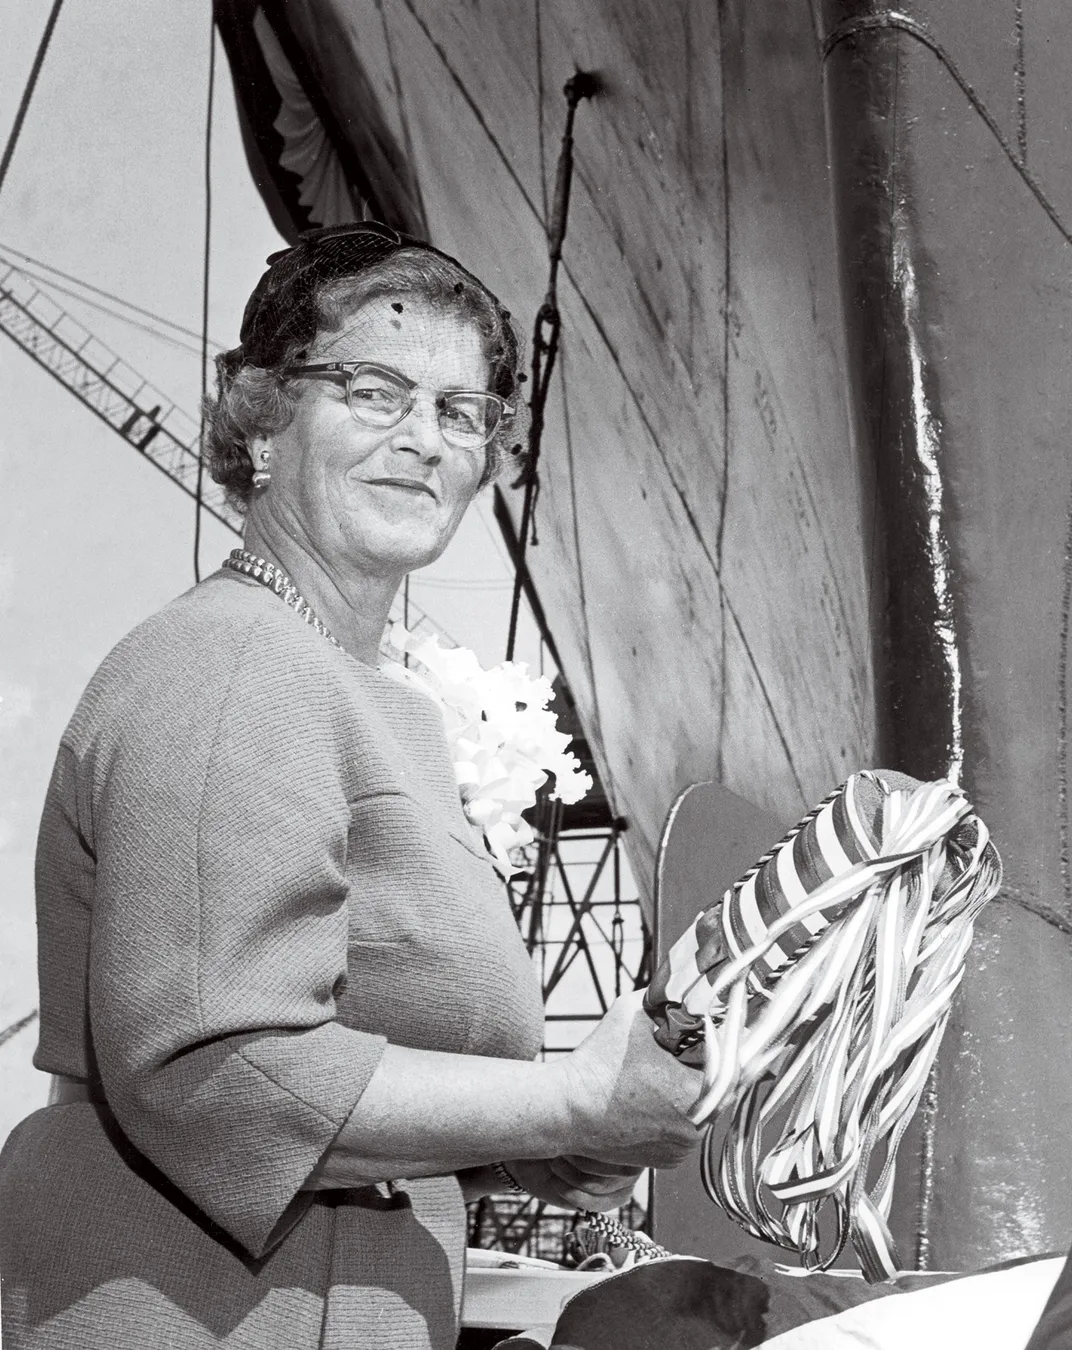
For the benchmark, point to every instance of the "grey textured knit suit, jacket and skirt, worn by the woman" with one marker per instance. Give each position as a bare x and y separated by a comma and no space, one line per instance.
253,873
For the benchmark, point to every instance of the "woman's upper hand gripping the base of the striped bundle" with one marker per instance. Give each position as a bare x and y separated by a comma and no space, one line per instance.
628,1098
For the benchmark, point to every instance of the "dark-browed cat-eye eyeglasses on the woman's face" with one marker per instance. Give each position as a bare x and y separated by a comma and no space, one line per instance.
381,398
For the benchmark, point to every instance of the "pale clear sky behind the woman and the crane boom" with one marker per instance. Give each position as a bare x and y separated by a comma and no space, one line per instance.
107,184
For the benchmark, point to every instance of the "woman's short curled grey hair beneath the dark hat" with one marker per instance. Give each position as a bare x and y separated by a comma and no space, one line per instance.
253,402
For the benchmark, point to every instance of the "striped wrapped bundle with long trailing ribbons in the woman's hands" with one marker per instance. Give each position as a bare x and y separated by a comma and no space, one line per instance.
819,988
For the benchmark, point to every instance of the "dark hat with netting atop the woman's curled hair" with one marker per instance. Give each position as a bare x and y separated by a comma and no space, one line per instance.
283,311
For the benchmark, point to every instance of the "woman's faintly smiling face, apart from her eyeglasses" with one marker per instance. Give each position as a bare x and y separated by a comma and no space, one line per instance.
372,500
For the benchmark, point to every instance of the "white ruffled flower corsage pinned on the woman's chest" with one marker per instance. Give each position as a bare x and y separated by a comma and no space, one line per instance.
503,736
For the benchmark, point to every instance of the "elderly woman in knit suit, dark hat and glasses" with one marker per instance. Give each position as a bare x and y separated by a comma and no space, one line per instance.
292,1019
